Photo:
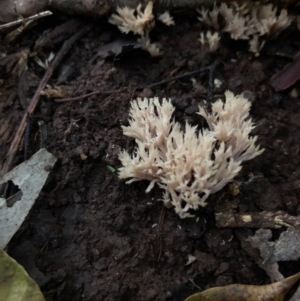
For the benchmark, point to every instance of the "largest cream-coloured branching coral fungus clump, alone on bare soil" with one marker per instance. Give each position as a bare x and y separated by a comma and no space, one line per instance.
187,165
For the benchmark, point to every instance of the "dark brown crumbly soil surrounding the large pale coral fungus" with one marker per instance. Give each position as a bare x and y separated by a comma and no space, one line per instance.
92,237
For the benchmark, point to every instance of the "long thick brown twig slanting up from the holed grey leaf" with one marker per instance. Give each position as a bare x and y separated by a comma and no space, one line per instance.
35,99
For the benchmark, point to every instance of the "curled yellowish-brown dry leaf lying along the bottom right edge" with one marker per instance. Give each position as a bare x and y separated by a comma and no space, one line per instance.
240,292
